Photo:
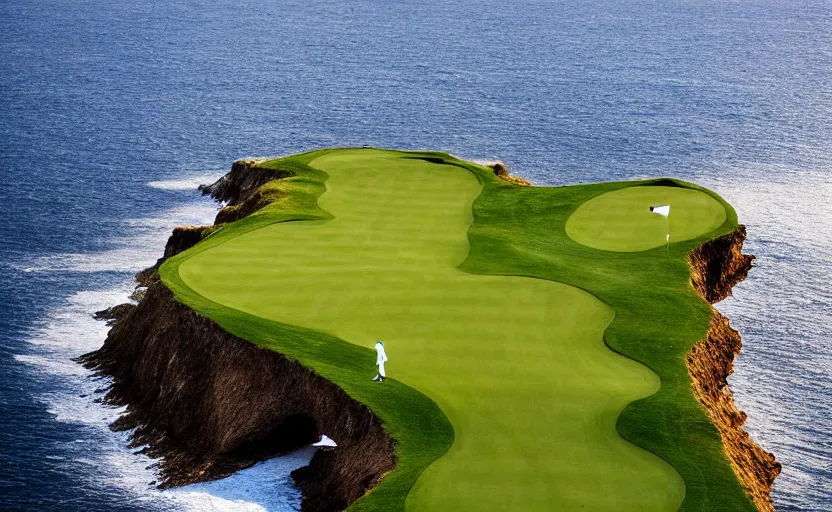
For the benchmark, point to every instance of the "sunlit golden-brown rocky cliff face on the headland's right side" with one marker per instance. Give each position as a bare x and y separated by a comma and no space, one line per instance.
716,266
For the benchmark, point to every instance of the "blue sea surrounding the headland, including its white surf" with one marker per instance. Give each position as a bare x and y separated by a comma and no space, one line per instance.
111,112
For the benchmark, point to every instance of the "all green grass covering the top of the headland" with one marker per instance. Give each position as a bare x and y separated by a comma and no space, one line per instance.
492,315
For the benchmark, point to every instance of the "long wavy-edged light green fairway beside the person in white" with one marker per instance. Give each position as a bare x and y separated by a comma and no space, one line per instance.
518,365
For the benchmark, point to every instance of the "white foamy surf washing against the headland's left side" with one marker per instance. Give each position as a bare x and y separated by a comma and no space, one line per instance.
72,394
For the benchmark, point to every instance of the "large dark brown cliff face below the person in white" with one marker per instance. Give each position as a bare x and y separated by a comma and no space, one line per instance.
208,404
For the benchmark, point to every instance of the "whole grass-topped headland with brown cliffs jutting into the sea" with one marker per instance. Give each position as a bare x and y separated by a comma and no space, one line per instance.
548,350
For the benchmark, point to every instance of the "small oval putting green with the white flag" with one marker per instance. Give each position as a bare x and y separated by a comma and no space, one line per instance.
621,220
